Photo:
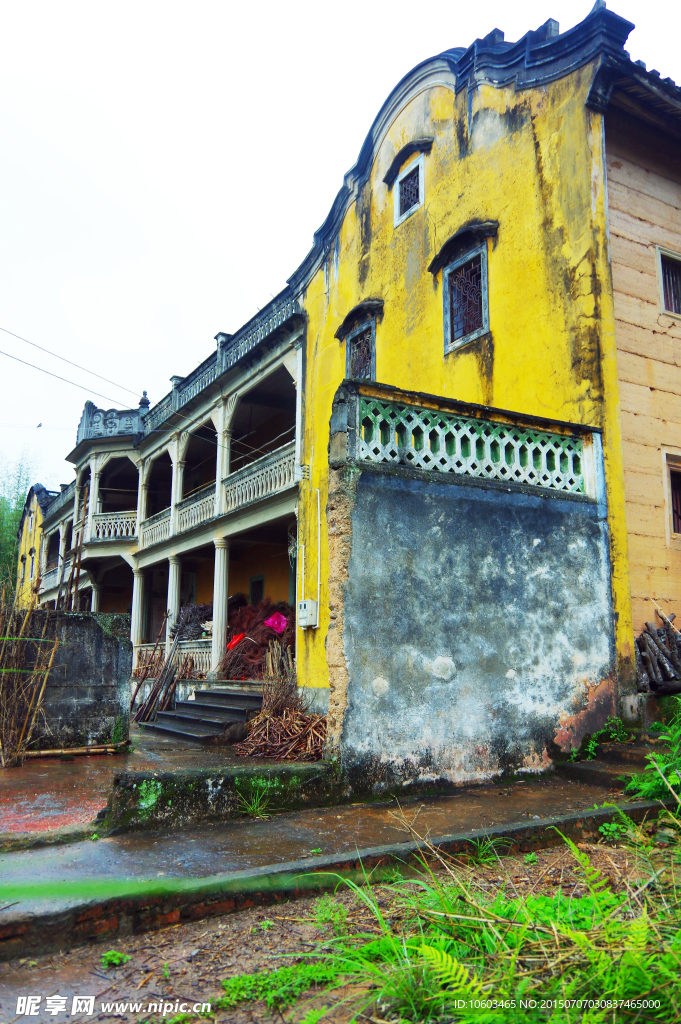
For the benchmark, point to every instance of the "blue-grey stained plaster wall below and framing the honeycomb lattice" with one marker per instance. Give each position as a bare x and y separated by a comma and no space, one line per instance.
473,629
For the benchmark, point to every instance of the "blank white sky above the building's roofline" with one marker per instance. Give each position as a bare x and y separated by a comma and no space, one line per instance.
163,167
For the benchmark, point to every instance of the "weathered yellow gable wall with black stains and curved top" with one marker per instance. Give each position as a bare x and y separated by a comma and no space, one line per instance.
533,161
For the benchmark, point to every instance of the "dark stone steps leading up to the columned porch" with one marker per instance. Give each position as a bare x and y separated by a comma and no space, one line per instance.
214,716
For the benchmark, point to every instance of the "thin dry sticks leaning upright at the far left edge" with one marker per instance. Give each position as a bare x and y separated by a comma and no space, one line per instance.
28,646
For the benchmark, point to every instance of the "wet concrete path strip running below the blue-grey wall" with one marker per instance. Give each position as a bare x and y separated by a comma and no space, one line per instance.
235,846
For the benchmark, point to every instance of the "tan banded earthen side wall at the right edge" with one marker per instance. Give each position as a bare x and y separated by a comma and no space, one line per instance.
645,199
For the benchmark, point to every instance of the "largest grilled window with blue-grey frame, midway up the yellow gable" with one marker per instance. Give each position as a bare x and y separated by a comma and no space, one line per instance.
465,293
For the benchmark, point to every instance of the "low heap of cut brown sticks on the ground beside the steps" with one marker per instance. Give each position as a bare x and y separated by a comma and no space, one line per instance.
293,736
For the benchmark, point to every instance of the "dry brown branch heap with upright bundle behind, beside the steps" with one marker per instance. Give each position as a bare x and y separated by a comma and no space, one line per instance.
284,730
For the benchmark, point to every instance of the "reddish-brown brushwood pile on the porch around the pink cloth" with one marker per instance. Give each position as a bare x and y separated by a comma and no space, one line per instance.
247,660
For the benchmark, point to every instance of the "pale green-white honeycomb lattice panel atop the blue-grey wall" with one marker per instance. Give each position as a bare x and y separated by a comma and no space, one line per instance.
444,443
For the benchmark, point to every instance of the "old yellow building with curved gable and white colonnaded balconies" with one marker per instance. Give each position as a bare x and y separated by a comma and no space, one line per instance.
421,438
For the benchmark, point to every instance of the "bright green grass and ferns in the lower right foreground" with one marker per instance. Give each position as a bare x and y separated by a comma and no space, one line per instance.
461,954
